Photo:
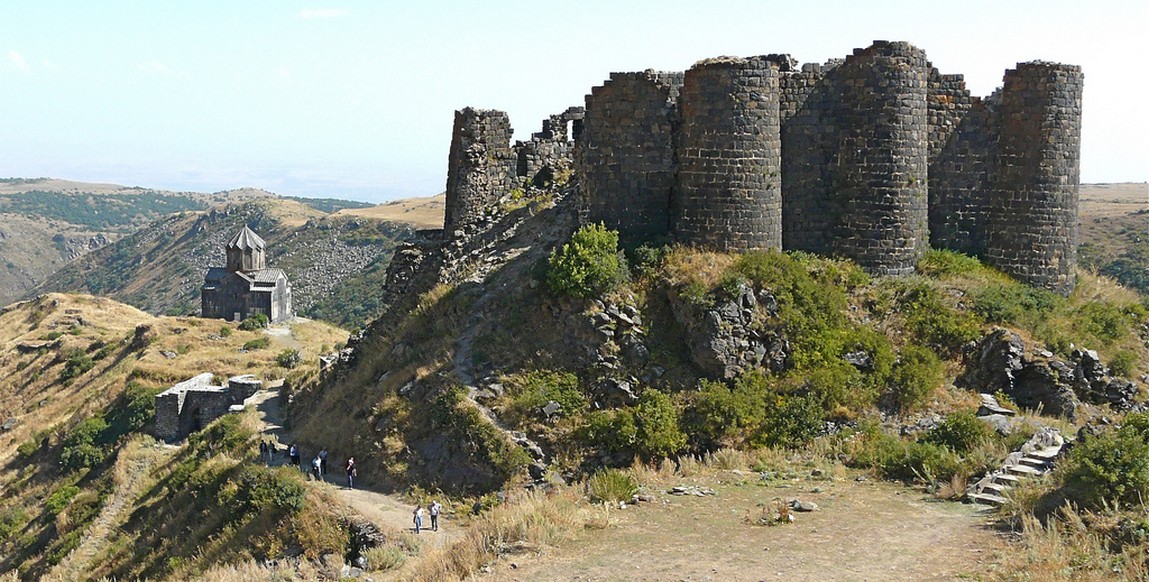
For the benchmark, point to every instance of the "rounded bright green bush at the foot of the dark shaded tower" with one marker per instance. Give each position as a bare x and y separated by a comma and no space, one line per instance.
589,266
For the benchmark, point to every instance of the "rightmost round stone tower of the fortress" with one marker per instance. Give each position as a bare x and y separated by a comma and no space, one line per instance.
1034,201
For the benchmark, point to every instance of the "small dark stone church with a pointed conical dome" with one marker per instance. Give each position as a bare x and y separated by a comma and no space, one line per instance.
246,286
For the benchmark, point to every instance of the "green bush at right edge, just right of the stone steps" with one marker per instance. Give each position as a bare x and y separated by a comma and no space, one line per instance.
1112,468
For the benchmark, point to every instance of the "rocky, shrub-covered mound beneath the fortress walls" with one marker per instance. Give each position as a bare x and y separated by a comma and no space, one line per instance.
549,352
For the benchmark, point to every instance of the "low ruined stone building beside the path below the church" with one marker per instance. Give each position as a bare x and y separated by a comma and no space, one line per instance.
192,405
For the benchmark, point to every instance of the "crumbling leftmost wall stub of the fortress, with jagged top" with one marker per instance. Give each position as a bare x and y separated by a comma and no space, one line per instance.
481,166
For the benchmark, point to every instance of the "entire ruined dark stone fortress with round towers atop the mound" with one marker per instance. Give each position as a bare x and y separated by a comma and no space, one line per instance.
875,158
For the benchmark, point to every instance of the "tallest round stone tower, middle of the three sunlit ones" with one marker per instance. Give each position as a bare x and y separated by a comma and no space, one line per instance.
880,176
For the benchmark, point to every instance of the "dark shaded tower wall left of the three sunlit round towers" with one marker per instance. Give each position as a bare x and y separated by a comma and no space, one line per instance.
626,157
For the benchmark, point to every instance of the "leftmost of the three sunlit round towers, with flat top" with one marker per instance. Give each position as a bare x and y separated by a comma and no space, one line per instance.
729,195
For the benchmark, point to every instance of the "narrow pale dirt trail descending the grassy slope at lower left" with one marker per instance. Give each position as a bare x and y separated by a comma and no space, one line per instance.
132,476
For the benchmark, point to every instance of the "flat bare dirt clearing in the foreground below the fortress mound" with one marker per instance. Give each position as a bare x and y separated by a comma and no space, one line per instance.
863,531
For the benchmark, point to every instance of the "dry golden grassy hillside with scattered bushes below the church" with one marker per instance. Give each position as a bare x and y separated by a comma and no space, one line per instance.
80,378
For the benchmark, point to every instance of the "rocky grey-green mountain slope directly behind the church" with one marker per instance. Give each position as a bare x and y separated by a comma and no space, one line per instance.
335,265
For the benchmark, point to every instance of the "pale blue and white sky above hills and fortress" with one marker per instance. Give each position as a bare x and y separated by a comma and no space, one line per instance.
357,99
